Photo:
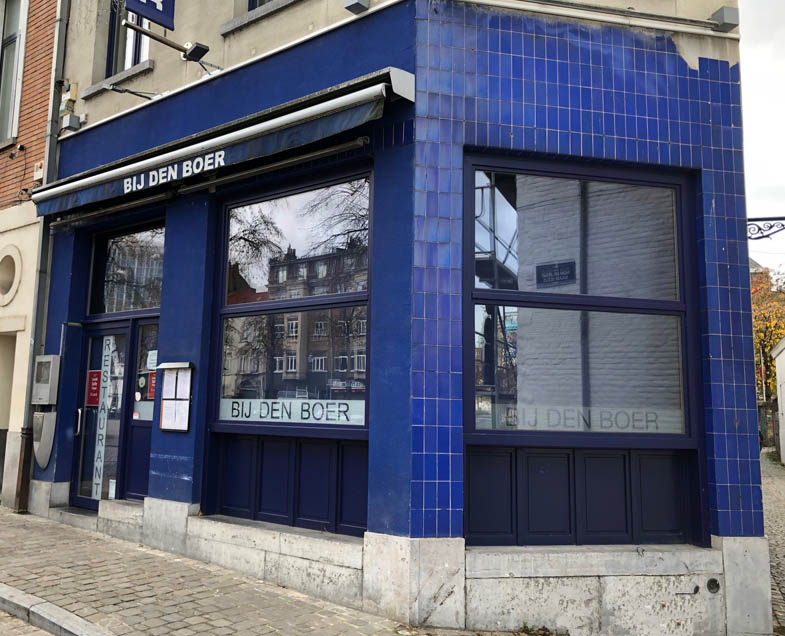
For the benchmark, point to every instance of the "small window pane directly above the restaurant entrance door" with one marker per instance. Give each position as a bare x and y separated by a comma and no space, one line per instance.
128,271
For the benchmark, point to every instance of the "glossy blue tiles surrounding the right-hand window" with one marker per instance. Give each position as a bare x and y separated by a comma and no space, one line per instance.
502,81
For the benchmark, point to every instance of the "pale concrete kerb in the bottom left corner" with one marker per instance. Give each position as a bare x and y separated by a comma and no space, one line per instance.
45,615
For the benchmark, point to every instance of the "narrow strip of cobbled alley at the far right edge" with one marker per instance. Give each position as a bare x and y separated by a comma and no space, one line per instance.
774,517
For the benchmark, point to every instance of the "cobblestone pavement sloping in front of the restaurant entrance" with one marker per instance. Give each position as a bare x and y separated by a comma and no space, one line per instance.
136,591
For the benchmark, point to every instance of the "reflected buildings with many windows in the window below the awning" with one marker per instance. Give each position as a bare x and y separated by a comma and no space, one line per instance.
313,354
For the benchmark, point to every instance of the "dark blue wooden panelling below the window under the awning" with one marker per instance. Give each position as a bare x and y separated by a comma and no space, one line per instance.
310,483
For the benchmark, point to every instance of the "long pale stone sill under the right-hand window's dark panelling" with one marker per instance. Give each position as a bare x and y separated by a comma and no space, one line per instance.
575,561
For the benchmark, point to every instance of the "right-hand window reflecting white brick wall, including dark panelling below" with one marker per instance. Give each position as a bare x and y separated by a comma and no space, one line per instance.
580,342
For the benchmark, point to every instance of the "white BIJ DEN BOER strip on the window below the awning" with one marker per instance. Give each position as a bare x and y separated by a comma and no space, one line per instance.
295,411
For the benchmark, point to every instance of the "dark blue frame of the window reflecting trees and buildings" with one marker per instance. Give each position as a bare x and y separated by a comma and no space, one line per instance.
331,301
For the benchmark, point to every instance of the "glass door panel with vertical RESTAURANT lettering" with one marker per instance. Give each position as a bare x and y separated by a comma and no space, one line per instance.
101,417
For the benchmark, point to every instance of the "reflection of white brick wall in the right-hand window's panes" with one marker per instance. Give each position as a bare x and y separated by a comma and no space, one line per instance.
578,358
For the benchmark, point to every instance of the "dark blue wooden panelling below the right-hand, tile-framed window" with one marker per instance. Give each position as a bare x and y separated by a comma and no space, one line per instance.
529,496
